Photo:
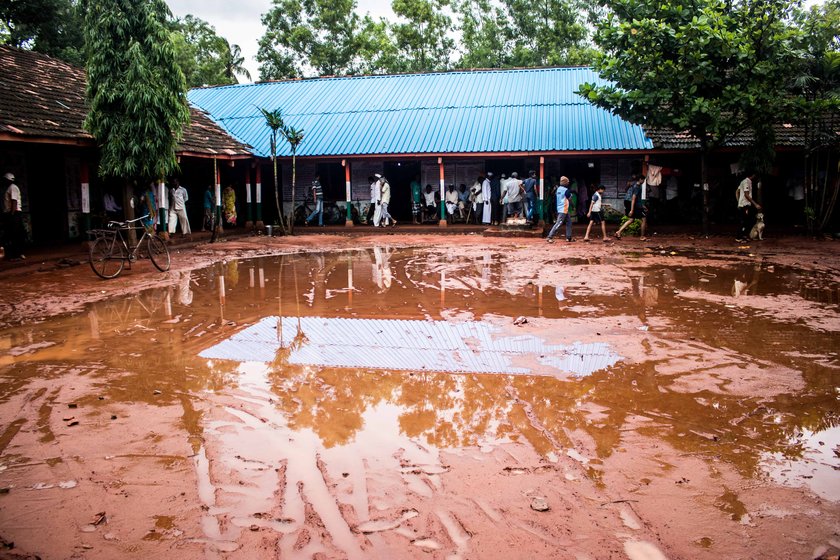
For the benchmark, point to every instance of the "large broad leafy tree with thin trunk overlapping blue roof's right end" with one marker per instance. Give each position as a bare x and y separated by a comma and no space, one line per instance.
713,68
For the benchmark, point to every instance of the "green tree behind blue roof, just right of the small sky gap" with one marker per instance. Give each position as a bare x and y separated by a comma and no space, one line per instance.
422,35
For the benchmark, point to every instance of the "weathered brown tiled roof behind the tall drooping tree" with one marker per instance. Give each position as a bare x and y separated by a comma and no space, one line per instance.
44,98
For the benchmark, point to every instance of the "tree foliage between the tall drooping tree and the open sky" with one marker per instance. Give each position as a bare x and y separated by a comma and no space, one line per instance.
204,57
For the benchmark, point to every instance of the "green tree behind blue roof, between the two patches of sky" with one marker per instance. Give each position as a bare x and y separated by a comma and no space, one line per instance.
304,36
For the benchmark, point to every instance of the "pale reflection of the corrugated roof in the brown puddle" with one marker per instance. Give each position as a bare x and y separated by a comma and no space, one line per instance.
462,347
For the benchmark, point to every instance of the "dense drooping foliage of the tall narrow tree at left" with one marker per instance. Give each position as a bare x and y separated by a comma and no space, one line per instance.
135,90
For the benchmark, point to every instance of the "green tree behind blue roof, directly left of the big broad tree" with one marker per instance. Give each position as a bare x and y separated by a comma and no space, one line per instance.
546,33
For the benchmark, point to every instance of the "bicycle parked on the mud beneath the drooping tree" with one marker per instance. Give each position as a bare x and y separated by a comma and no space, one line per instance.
110,251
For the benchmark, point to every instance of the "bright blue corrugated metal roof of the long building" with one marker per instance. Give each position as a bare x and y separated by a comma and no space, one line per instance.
449,112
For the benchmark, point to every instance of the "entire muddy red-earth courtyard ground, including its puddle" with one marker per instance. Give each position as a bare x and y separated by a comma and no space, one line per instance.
441,397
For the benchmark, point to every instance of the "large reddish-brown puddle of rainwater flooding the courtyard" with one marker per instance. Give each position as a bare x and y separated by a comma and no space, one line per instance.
331,399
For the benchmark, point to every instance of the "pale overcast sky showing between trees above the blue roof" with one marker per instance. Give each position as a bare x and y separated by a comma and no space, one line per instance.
239,22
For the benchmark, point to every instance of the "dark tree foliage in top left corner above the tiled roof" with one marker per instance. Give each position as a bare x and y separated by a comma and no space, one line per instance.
51,27
